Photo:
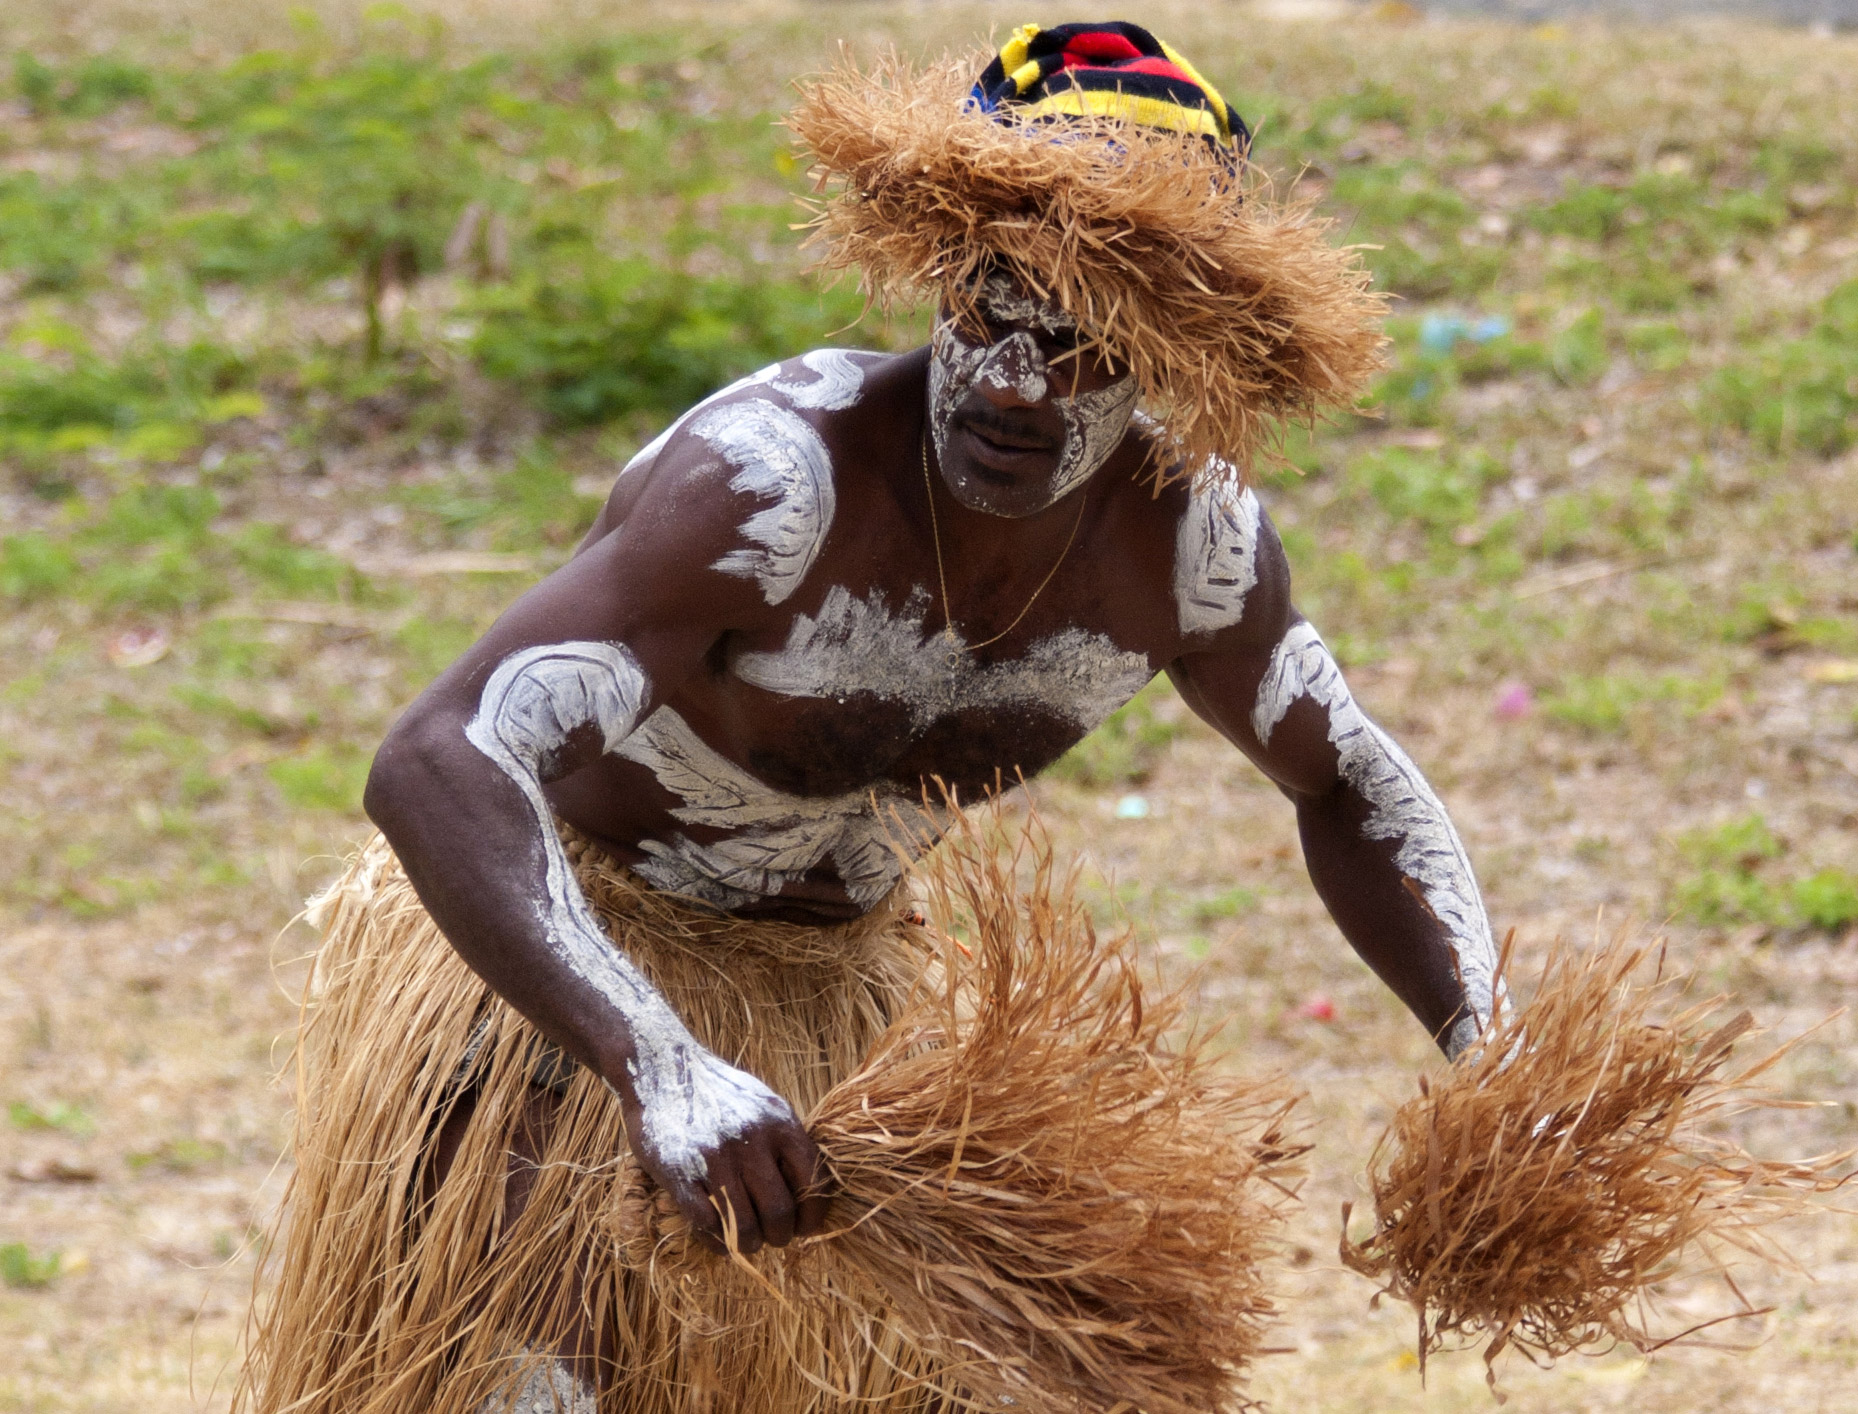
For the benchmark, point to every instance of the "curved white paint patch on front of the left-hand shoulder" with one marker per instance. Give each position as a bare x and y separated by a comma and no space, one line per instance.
779,458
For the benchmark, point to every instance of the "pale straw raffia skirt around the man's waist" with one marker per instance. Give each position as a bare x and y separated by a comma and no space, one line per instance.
389,1298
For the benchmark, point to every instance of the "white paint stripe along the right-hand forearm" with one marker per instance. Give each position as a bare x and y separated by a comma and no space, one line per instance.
1402,807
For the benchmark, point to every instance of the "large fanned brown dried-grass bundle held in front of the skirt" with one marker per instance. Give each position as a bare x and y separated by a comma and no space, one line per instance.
1040,1194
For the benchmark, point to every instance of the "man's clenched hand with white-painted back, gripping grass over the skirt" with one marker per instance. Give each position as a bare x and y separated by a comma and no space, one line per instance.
729,1151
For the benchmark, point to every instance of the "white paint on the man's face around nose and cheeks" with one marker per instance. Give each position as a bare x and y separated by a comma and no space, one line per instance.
1093,421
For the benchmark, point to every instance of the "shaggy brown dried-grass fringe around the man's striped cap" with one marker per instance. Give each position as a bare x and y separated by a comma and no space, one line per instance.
1233,315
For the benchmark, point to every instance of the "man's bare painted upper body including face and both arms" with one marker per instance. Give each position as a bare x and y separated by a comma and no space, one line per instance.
753,651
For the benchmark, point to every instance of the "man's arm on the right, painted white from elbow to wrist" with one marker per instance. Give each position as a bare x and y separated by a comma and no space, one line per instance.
1378,843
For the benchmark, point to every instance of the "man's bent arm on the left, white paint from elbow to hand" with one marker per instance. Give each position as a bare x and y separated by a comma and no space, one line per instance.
458,791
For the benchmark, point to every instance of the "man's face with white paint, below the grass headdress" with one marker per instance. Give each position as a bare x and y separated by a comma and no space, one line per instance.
1015,423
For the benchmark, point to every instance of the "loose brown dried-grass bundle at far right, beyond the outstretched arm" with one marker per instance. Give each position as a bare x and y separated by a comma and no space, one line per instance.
1537,1192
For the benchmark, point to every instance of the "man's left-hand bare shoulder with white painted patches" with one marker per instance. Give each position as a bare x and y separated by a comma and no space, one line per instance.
748,473
